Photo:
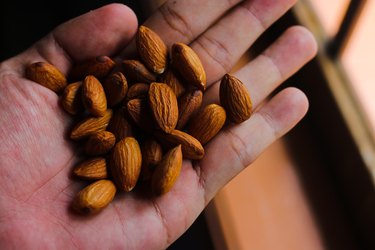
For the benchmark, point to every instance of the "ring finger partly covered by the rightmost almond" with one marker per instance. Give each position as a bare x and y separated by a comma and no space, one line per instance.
283,58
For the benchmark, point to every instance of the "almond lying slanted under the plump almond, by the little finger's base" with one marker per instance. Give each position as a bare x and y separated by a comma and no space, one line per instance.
191,147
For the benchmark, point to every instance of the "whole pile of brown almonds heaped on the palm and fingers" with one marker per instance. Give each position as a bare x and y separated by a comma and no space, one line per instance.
138,121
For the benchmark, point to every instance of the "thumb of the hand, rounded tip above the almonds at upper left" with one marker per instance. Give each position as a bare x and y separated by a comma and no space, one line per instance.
103,31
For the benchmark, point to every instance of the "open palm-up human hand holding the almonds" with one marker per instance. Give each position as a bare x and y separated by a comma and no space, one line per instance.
35,190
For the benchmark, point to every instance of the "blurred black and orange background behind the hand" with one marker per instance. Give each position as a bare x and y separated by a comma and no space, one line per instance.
312,189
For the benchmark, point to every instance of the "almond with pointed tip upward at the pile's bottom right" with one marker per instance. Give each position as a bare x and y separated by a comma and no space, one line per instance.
167,171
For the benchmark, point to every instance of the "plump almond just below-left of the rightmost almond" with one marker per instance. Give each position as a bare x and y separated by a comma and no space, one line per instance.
207,123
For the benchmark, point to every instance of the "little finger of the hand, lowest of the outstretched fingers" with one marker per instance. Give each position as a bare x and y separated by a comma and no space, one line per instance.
238,146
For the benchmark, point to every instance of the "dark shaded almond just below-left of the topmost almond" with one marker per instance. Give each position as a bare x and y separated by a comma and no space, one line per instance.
136,71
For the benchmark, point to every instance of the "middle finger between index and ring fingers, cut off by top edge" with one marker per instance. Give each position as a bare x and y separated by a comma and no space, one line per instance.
220,47
